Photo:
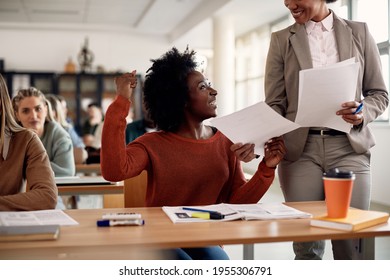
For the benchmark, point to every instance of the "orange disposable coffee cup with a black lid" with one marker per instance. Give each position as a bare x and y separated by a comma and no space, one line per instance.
338,191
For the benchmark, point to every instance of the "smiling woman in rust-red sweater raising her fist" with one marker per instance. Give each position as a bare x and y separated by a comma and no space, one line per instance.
188,162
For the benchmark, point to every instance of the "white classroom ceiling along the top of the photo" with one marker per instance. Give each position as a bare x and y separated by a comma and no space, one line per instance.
172,19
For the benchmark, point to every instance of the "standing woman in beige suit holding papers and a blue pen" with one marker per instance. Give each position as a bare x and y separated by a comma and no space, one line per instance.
319,38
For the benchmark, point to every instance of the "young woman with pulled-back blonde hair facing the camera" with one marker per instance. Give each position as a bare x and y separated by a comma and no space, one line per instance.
33,111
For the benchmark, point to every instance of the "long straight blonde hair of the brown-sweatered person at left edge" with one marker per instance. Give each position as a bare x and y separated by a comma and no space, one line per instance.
8,123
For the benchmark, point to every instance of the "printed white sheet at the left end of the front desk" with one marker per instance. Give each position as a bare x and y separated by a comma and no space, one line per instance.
32,218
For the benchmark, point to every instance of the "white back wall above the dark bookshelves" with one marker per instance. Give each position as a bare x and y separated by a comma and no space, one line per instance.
49,50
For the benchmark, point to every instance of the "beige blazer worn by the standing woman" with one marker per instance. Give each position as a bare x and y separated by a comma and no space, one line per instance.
289,53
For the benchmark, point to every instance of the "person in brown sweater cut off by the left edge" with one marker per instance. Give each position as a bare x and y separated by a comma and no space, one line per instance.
22,158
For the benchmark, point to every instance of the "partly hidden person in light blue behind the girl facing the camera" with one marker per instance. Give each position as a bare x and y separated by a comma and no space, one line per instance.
79,151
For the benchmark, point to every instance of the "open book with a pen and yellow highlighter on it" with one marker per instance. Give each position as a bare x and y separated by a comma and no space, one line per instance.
258,211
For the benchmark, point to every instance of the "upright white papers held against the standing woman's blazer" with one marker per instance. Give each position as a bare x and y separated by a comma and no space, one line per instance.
322,91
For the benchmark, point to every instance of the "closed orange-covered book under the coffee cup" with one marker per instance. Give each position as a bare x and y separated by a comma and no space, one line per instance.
356,219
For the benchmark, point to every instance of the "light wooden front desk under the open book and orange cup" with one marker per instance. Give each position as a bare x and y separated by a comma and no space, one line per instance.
86,241
